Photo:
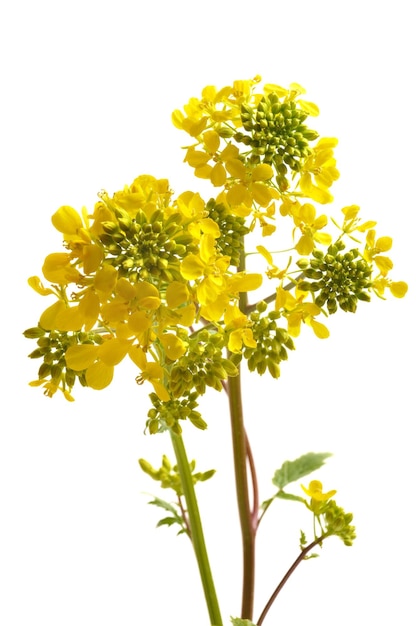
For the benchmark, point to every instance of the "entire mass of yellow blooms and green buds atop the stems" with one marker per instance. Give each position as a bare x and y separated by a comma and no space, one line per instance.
162,279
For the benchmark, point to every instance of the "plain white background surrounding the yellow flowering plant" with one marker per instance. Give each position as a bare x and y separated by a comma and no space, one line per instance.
87,93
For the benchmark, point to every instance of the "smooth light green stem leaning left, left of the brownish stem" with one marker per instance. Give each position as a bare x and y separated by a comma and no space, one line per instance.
197,535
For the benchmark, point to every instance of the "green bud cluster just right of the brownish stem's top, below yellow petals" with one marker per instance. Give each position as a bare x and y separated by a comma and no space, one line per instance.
272,342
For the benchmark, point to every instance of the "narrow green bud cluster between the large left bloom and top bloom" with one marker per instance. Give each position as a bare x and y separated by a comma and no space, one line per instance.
230,242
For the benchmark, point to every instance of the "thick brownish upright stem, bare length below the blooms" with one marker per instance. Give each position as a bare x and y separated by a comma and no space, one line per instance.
248,518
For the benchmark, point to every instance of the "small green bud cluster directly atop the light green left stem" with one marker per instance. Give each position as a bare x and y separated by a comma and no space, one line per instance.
168,414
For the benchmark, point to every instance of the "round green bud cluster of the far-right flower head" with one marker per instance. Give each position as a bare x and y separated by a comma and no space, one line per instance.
338,278
